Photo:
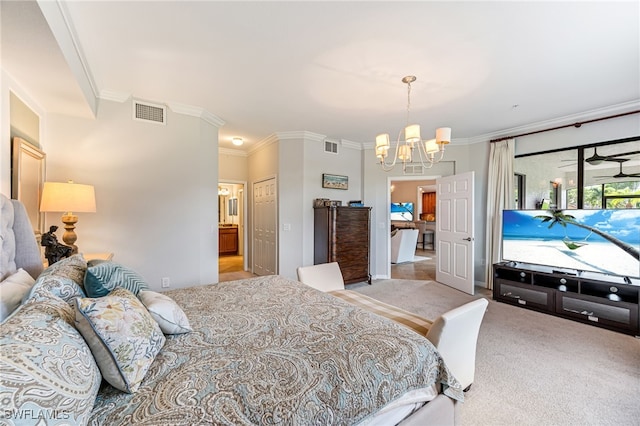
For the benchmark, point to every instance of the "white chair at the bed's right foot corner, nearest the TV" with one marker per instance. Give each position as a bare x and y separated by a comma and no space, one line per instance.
455,335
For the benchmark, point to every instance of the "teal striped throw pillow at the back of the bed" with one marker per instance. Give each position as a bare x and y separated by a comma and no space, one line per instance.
100,279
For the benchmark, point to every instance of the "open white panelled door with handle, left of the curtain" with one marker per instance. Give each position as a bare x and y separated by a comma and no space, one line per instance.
454,231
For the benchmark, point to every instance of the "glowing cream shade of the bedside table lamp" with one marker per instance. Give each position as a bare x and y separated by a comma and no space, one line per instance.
67,197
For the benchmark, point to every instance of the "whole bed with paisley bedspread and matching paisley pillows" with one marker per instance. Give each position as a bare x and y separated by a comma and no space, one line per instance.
265,350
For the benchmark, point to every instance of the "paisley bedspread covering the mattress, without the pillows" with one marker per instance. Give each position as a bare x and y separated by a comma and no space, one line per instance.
269,350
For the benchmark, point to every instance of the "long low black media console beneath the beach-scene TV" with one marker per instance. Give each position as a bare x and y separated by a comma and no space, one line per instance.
602,300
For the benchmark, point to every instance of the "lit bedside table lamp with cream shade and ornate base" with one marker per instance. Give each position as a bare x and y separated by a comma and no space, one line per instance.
68,198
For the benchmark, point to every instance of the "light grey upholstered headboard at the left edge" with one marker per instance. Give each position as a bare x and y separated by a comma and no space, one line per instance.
19,248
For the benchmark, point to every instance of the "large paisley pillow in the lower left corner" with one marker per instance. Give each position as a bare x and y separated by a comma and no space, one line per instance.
46,369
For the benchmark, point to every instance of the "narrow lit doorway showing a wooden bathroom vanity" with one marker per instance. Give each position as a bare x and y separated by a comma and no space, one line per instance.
231,227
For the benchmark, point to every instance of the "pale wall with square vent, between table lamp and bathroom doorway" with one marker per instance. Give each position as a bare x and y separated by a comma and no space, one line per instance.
156,190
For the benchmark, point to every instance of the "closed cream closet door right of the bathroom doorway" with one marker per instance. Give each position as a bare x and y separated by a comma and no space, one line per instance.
264,228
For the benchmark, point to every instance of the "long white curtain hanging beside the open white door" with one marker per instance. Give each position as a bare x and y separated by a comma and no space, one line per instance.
500,196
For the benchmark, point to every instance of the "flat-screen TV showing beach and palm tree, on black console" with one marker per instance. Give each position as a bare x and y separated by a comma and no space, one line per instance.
604,241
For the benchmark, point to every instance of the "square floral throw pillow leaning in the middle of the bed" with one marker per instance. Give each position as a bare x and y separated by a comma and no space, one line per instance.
122,335
